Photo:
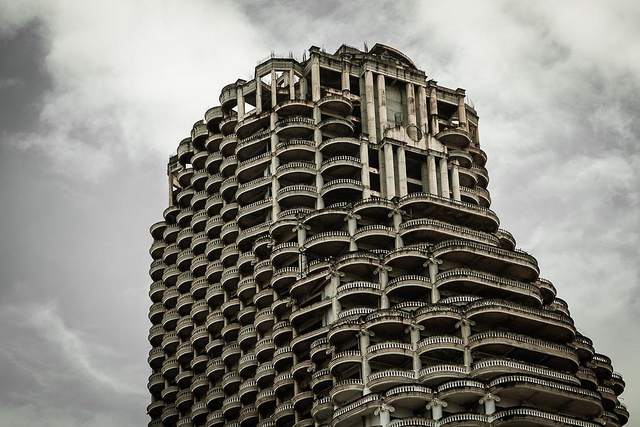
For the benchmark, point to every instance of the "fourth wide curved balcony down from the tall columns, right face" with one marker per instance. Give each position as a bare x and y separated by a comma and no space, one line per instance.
466,281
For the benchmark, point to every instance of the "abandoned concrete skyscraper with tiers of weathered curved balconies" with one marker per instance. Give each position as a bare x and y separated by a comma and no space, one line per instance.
328,257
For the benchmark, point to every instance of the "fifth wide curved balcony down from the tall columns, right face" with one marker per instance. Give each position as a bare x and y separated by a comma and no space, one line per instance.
529,321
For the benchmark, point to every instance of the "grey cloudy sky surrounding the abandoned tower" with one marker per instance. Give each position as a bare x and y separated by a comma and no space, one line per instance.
95,96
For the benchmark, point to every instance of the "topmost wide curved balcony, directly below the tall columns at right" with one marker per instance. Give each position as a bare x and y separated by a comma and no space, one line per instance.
424,205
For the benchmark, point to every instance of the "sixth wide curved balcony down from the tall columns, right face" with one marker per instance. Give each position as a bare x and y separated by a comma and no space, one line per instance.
527,349
